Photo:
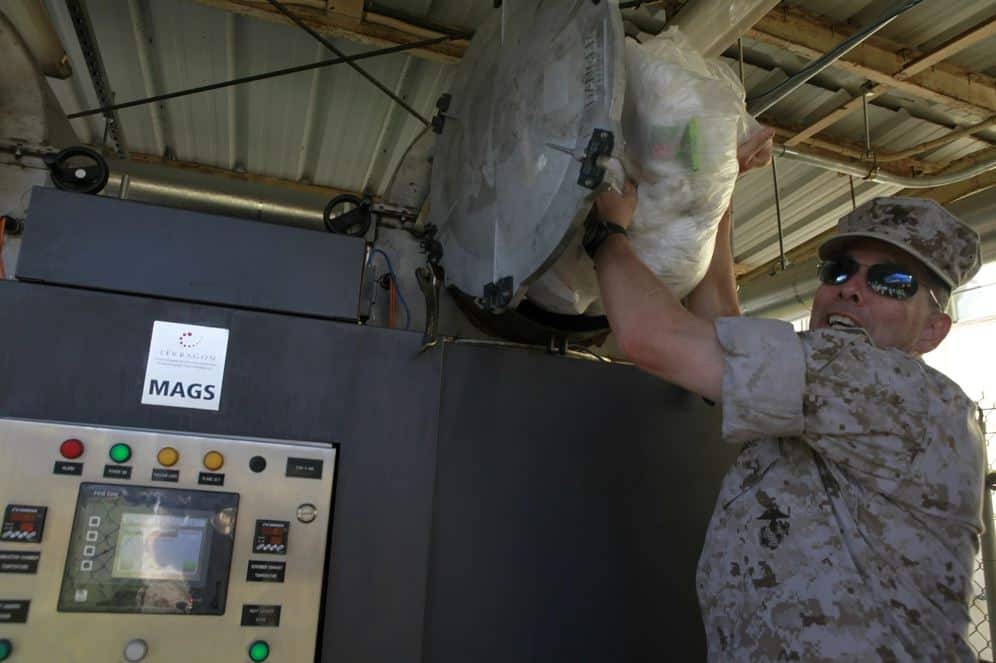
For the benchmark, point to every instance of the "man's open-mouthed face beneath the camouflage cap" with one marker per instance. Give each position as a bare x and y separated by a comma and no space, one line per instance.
891,323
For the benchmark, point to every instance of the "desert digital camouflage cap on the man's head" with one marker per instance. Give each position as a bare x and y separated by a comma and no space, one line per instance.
945,245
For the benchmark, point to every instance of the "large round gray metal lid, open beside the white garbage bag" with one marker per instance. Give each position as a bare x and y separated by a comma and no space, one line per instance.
540,85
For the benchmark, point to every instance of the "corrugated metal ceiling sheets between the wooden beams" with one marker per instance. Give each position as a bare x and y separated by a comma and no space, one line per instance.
330,127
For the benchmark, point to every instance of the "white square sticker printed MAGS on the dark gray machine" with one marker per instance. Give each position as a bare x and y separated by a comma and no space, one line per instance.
186,366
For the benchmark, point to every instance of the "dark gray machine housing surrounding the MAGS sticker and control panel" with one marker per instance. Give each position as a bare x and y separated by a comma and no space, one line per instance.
491,504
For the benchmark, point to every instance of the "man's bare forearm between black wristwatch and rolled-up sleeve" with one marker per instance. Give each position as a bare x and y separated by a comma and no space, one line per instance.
651,326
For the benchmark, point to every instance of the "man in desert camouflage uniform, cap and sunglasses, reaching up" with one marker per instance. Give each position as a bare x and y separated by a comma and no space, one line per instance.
848,527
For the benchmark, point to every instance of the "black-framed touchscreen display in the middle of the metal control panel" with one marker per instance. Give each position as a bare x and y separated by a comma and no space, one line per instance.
149,550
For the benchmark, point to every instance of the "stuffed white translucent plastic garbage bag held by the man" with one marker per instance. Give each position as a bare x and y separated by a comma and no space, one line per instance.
683,117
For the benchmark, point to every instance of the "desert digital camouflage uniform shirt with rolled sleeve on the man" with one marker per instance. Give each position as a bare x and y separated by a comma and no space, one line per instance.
848,527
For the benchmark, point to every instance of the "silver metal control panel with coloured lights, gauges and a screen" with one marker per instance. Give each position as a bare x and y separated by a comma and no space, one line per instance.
129,545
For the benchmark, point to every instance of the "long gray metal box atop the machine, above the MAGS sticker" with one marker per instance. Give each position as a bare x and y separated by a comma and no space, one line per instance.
119,245
